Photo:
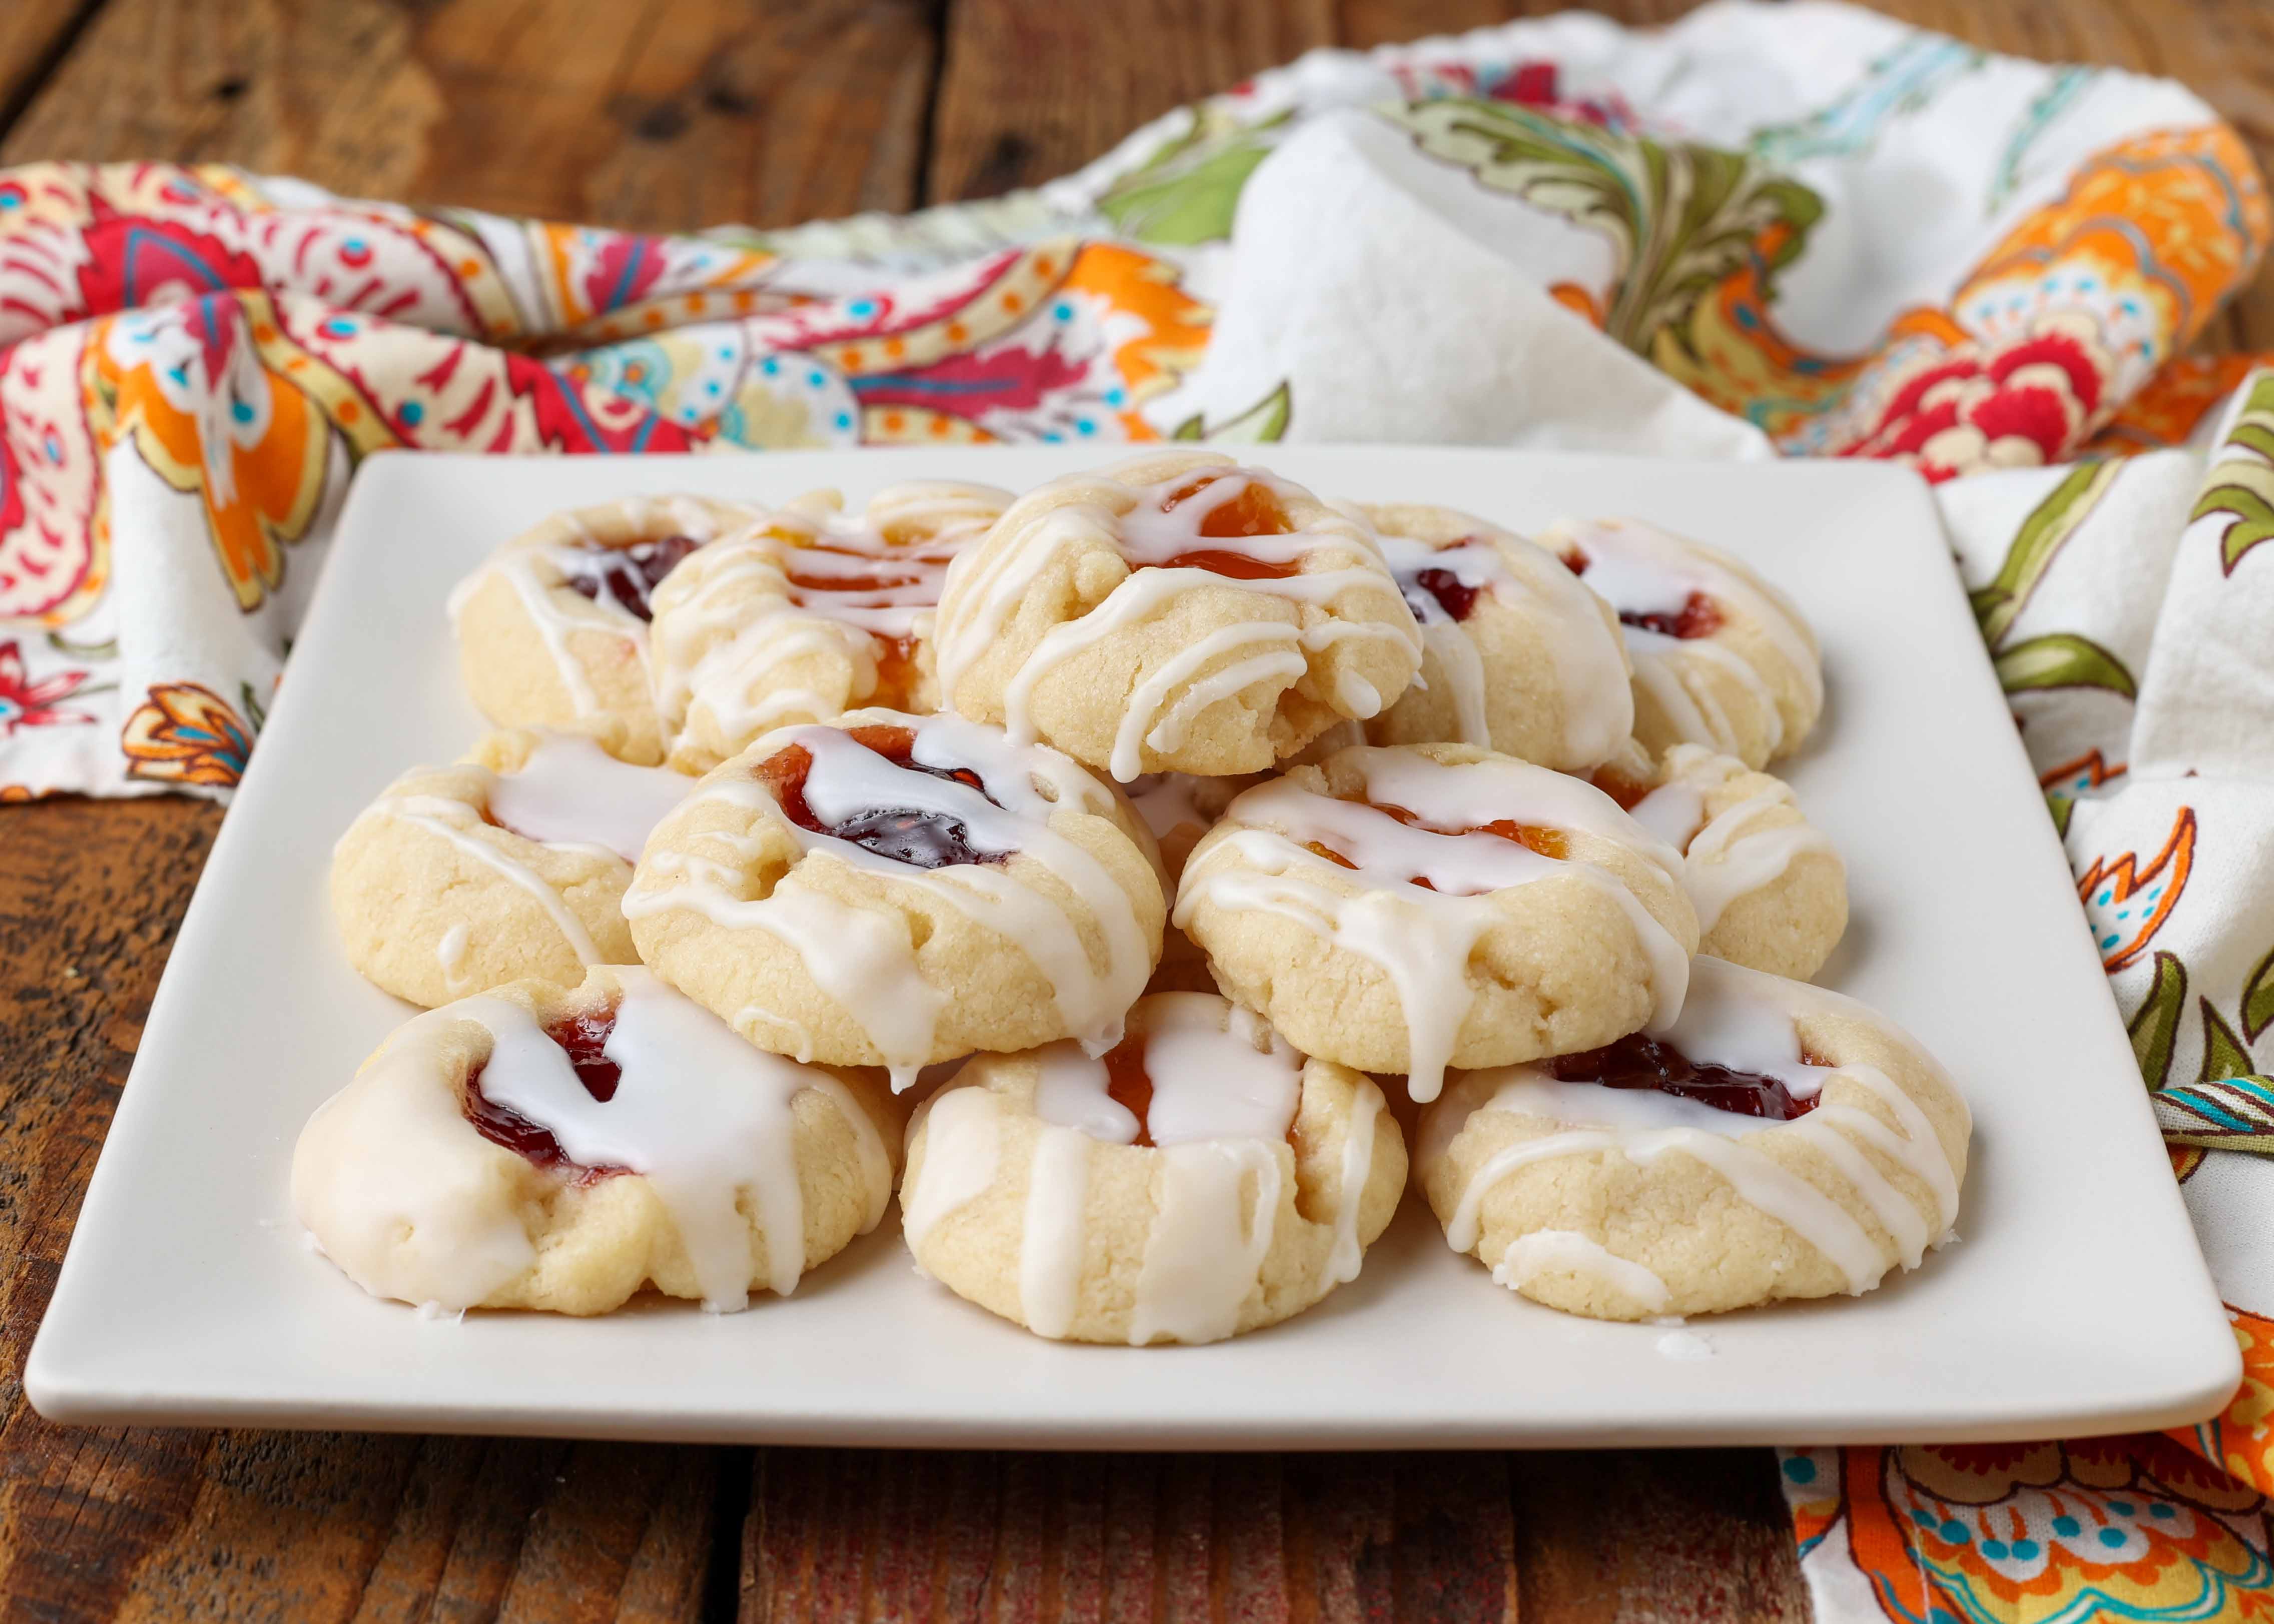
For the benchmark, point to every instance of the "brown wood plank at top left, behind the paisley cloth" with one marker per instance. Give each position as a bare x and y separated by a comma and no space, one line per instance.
658,117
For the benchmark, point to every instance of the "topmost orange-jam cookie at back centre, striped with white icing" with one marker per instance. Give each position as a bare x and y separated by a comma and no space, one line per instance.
1177,613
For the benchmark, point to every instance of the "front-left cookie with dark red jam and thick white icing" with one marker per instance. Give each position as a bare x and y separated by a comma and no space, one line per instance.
558,1150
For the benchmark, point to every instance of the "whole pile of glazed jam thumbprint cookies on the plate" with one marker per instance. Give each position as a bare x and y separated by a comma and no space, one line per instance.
1122,875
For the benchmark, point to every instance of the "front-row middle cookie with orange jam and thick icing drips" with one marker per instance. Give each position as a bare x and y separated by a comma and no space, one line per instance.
1197,1182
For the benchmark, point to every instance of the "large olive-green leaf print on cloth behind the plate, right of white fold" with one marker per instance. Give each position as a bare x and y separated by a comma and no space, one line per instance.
1677,217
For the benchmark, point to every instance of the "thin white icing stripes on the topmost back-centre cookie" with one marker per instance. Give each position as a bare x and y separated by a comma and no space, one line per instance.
984,597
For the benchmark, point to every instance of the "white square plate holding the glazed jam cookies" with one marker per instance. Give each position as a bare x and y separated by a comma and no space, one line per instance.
2077,1302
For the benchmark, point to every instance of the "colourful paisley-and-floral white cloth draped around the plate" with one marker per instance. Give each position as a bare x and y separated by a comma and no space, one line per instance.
1766,231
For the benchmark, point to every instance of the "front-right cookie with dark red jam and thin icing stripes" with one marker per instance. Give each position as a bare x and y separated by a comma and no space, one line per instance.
1777,1141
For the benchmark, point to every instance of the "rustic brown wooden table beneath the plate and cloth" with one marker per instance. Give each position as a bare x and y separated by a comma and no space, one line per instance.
765,113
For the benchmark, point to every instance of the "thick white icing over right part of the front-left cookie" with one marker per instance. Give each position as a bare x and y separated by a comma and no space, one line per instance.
697,1111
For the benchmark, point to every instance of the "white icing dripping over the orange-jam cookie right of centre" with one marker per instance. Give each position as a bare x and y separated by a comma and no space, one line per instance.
1425,938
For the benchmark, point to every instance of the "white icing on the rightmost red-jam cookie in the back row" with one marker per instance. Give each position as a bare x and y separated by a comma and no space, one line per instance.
1643,570
